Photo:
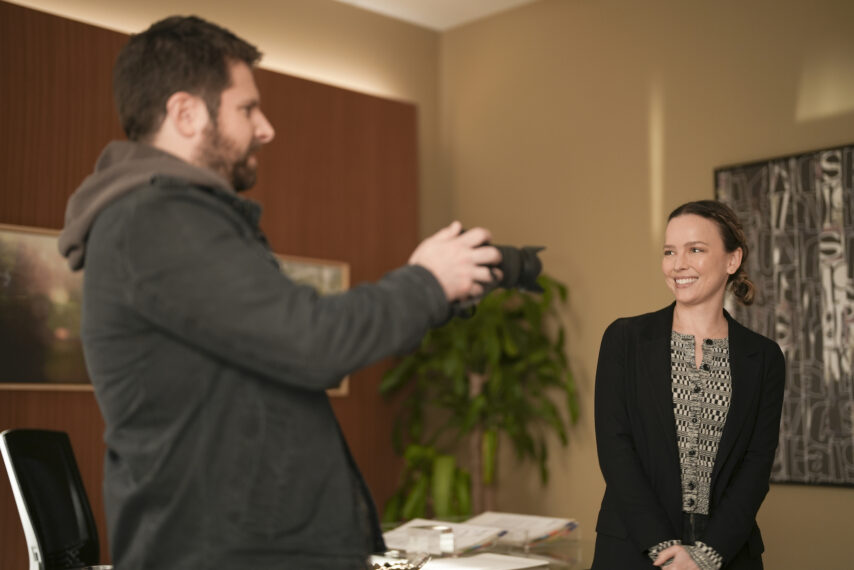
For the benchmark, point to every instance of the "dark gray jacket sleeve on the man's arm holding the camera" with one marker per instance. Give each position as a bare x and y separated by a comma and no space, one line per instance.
197,271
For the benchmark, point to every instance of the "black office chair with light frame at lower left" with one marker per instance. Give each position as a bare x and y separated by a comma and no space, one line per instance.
55,513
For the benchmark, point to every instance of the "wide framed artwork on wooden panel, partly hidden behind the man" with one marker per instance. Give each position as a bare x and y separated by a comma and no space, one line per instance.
40,309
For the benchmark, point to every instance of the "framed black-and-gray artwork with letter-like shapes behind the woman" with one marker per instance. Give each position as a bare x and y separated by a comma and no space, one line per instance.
798,215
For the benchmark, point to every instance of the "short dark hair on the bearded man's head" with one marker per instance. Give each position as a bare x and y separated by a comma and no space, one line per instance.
176,54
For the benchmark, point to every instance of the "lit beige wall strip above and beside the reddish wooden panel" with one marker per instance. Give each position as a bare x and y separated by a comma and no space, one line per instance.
321,40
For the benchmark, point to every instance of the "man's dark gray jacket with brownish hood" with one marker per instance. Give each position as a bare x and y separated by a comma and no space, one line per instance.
210,367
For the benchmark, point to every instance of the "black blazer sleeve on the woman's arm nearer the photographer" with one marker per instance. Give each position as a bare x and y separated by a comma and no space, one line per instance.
629,489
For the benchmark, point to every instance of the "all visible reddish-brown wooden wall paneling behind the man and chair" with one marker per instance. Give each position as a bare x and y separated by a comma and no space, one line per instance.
338,182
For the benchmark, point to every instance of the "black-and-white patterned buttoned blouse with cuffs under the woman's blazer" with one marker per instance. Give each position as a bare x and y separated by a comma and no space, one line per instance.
701,398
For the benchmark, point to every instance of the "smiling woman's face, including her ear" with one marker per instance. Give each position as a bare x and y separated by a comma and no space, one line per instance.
695,263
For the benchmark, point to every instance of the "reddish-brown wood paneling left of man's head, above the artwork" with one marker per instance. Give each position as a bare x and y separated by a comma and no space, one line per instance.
56,109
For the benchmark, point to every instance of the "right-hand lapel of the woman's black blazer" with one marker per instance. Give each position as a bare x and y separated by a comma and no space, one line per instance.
744,370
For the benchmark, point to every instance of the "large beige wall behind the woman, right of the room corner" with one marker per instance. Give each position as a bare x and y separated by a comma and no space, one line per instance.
579,124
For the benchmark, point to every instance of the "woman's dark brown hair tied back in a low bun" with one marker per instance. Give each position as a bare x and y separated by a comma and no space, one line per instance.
733,237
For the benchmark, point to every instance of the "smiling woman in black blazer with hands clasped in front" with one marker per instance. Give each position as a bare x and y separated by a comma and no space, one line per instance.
685,491
